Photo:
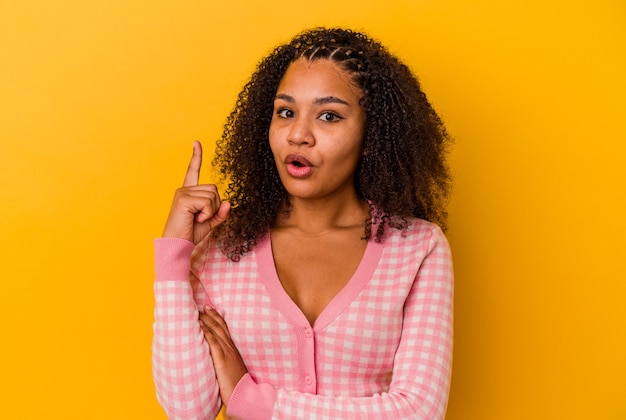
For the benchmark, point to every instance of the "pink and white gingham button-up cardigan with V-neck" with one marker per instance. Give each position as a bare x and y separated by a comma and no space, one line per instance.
381,349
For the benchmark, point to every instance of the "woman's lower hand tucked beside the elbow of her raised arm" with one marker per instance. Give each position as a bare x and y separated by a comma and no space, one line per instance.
229,366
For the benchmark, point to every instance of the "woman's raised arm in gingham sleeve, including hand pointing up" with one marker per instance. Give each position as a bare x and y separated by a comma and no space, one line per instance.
183,373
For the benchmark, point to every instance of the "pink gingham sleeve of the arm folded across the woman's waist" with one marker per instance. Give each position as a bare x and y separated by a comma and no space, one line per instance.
421,368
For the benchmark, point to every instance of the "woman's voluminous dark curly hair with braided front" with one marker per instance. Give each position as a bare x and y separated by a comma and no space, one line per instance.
403,172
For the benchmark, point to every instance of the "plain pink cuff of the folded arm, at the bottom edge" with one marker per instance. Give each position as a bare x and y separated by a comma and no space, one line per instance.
250,400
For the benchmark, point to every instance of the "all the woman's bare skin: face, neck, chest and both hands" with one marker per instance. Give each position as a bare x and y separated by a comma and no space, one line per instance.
317,117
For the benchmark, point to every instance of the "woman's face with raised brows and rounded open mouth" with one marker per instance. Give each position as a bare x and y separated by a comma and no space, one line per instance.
316,133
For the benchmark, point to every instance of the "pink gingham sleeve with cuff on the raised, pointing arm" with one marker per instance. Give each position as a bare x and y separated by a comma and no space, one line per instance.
182,369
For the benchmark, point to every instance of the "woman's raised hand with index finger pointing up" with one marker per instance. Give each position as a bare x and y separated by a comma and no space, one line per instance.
196,209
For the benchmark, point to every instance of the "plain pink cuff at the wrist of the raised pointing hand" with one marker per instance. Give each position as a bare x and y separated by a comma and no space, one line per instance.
172,259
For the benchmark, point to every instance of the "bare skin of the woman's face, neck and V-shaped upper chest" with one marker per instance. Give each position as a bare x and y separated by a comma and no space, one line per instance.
317,115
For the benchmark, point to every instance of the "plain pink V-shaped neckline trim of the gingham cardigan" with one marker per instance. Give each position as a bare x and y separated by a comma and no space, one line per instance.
289,309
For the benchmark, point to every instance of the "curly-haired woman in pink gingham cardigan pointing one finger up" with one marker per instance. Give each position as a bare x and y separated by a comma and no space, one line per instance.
321,287
